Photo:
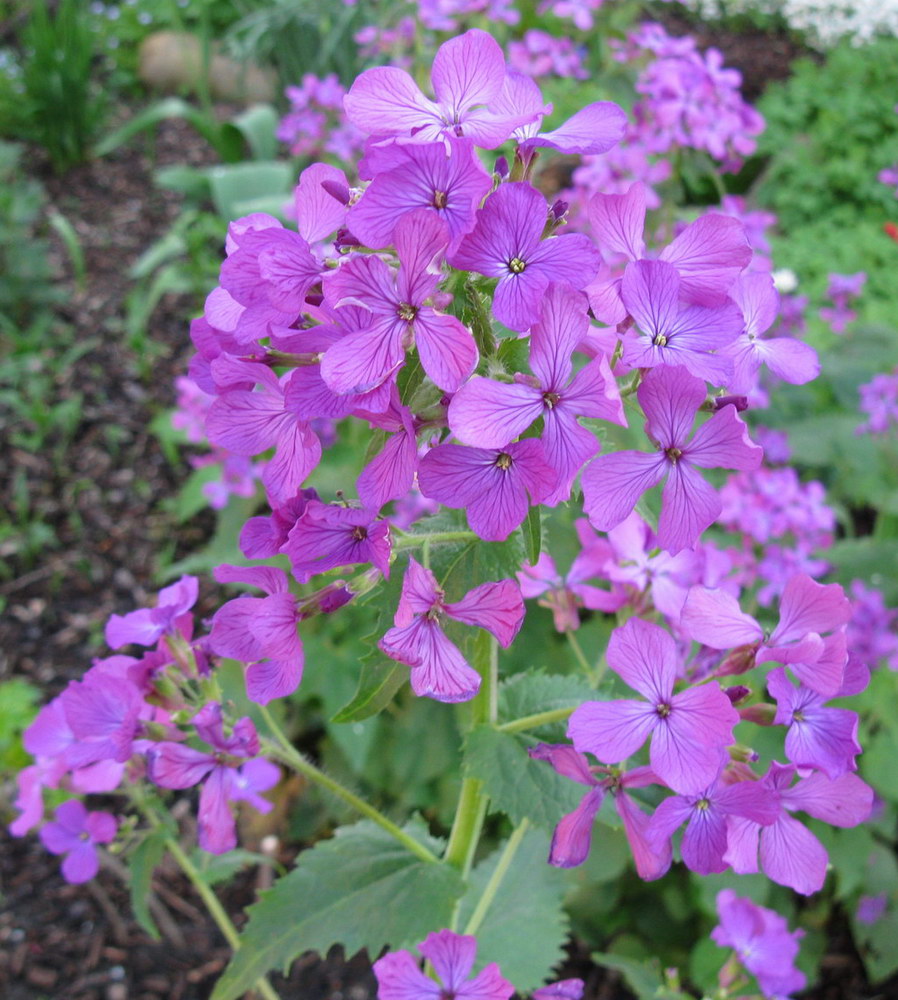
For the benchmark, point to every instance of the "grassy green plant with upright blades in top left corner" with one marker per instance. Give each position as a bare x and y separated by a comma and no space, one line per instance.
55,102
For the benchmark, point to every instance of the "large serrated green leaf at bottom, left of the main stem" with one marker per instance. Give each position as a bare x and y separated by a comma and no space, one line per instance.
361,889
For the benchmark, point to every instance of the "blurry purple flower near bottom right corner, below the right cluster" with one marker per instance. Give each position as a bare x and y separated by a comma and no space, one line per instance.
763,942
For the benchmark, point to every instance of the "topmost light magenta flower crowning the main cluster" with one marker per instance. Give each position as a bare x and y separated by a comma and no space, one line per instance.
468,74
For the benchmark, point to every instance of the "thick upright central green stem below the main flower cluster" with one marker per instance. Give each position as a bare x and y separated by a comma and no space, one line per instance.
472,801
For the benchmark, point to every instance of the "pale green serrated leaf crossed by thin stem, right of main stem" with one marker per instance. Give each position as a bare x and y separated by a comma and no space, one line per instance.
525,928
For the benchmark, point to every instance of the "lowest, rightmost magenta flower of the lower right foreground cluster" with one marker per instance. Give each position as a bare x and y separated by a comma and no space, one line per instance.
790,854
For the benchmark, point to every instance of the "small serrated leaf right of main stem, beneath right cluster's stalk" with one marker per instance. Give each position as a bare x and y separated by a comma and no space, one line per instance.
517,785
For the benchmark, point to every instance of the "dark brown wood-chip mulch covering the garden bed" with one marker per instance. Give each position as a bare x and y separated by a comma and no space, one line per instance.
81,942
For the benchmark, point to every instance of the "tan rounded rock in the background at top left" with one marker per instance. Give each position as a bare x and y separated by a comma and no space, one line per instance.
172,61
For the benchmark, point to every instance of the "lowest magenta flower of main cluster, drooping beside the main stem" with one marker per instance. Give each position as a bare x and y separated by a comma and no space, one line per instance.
439,670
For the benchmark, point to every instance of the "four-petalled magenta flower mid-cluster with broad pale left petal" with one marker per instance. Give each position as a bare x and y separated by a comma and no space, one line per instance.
487,413
